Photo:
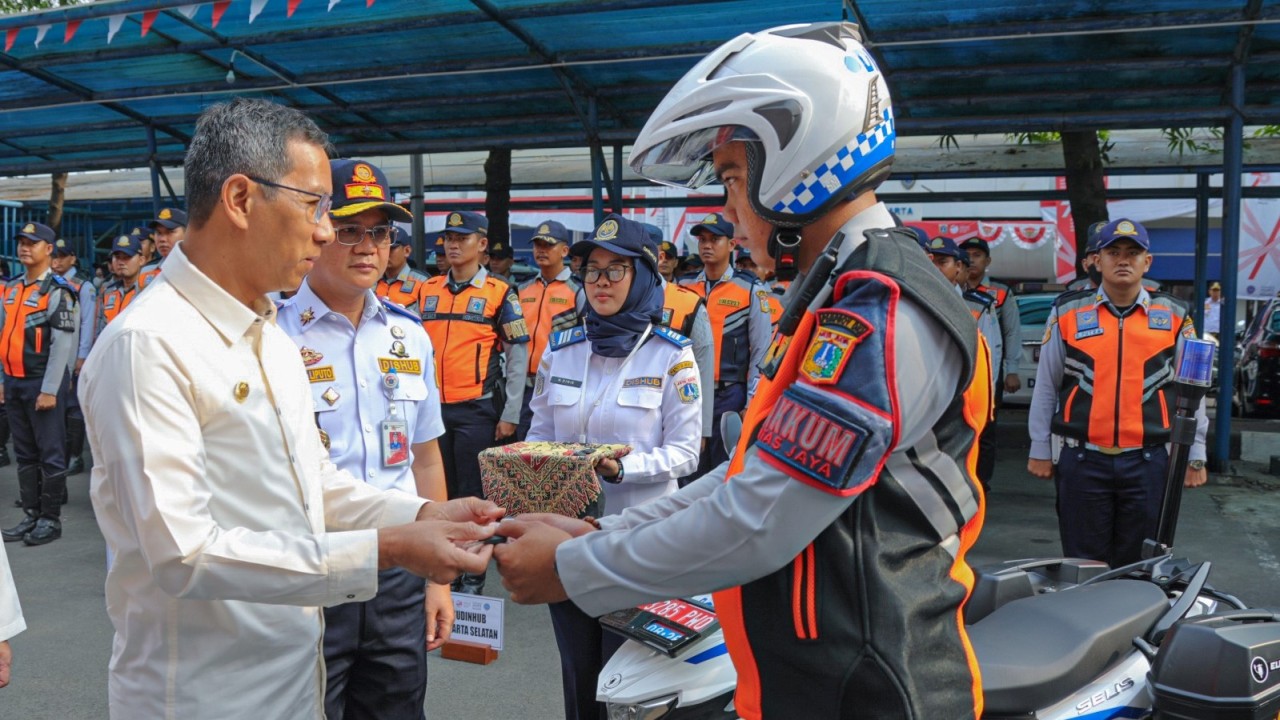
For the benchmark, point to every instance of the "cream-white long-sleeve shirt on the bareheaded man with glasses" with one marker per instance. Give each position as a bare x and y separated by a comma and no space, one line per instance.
214,495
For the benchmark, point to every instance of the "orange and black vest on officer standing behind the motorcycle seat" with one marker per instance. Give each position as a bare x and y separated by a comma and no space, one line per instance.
1112,394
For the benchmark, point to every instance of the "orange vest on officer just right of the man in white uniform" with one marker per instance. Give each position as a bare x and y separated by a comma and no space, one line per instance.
468,329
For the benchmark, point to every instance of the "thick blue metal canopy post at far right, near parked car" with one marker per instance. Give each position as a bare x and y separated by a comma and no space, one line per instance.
1233,160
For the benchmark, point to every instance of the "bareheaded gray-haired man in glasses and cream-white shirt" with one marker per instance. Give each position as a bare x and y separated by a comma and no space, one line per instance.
228,523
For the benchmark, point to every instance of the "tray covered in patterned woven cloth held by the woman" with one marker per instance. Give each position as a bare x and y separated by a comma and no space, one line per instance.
546,477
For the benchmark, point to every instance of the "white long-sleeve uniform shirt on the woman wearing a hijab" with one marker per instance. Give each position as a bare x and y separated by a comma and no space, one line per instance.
652,403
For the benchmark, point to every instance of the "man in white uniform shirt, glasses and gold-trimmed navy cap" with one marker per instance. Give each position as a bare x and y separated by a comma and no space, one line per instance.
378,411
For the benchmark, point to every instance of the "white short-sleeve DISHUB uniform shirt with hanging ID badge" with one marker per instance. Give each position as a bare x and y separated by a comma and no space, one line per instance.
346,368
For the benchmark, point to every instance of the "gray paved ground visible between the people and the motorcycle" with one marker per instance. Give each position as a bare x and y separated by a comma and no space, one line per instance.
61,662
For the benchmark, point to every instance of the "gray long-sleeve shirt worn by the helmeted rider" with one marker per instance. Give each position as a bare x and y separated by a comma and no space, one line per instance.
715,535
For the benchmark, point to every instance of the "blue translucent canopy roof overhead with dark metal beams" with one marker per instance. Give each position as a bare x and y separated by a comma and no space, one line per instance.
413,76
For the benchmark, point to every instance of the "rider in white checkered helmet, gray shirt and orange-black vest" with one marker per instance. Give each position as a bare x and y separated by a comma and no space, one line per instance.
838,531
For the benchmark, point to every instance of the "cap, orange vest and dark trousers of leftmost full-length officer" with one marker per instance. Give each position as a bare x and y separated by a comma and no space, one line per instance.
38,347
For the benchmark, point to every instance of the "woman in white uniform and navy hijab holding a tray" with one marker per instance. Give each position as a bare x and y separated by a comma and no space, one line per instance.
621,379
